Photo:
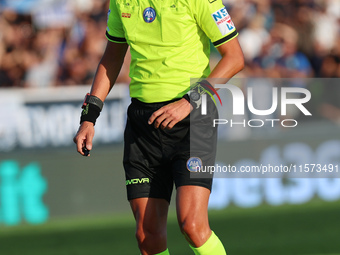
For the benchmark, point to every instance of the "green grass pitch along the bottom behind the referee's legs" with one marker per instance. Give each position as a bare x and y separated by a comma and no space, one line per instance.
313,228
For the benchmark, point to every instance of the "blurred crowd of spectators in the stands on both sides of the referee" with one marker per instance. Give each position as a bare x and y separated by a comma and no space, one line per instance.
60,42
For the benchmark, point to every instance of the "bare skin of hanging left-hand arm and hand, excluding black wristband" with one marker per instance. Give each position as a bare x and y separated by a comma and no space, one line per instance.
105,77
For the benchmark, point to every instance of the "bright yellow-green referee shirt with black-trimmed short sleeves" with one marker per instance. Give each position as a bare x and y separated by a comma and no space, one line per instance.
169,42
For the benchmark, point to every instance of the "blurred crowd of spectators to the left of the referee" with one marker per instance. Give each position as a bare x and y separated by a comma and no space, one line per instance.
52,42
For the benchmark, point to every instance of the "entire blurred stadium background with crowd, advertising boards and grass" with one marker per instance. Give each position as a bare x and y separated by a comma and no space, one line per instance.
53,201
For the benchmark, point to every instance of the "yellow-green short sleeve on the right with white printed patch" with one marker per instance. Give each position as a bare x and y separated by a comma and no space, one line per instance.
215,21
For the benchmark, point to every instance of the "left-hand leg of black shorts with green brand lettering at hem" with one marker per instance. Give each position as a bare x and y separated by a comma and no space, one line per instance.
146,174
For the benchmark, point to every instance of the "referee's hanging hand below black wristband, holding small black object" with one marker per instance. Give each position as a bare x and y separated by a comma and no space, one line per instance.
84,137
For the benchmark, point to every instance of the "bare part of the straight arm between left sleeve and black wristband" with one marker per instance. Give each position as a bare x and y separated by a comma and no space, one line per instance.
108,69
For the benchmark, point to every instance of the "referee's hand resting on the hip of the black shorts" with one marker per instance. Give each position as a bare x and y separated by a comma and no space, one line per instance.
169,115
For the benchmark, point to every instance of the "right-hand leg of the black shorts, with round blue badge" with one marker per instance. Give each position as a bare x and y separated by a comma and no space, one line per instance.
197,152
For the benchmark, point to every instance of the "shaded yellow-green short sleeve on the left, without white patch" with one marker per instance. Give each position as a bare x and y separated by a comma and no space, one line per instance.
114,31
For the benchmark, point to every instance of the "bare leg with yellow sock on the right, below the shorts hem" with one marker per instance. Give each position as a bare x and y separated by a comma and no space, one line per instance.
192,214
